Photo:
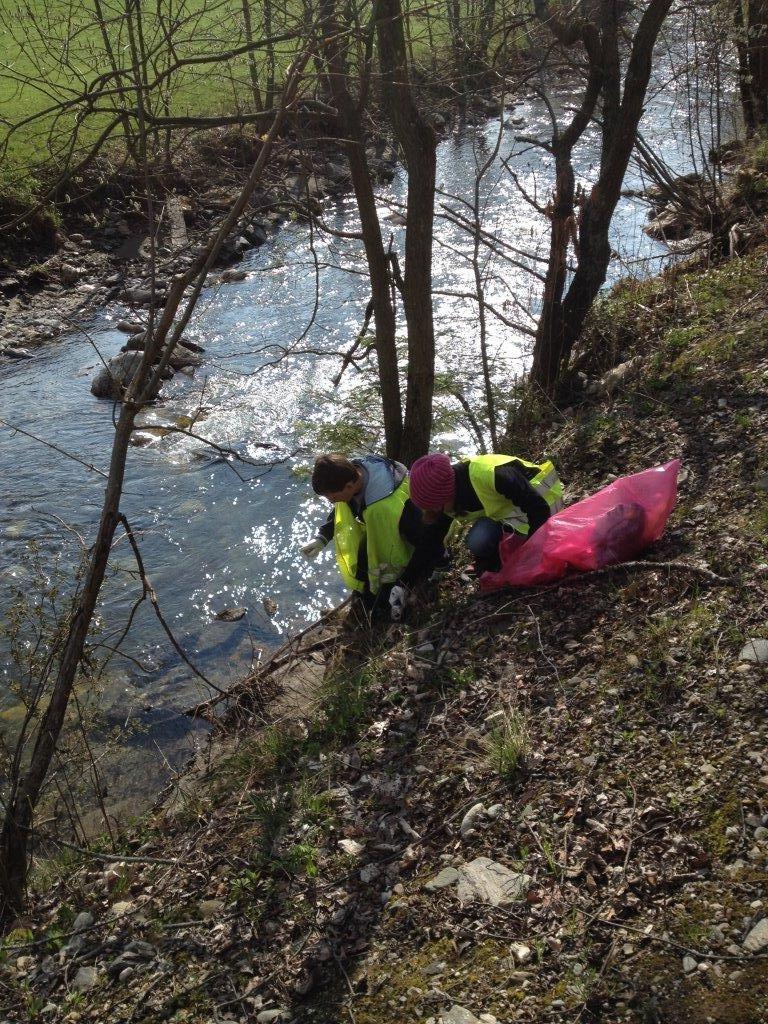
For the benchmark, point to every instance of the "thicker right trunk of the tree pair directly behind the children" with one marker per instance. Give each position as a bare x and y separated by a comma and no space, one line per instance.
419,145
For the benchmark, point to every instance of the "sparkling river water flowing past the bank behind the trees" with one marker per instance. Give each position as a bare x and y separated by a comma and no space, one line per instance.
209,539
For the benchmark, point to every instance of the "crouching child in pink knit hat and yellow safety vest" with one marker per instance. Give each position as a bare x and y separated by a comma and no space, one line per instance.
498,494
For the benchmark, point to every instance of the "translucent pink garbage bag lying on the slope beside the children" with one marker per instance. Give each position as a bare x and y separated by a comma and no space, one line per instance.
611,527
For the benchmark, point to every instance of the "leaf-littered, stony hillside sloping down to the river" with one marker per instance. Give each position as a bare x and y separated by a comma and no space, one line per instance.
590,757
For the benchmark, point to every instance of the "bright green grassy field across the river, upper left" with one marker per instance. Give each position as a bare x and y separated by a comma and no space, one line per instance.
55,52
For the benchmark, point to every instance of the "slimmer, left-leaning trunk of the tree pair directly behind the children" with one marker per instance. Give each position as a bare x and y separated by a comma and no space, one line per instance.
351,126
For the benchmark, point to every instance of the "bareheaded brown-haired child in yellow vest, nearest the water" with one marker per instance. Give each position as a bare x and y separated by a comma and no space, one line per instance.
383,545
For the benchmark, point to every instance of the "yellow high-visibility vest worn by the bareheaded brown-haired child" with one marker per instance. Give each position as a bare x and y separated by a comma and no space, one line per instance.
389,553
